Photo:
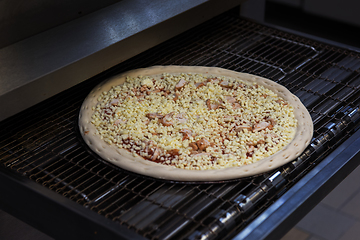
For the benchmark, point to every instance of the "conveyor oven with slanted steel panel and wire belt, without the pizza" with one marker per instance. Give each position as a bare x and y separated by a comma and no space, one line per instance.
51,180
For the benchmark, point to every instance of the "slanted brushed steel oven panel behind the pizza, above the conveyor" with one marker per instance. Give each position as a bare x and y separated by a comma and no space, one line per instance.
41,66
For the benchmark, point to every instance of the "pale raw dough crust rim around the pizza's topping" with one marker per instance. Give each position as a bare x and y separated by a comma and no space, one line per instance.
127,161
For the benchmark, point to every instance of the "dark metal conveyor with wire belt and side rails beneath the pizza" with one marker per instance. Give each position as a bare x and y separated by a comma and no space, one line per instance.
43,157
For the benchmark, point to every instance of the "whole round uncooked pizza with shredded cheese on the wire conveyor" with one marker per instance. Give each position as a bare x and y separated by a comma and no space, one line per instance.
187,123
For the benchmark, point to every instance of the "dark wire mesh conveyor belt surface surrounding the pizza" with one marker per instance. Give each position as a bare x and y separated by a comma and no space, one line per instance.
42,143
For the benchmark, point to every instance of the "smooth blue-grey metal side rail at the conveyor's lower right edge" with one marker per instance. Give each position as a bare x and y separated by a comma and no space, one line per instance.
284,213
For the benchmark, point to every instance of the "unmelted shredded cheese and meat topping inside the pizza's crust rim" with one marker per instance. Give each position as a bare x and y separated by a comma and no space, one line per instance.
192,121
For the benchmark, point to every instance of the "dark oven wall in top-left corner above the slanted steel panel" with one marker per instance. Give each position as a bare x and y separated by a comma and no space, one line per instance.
21,19
